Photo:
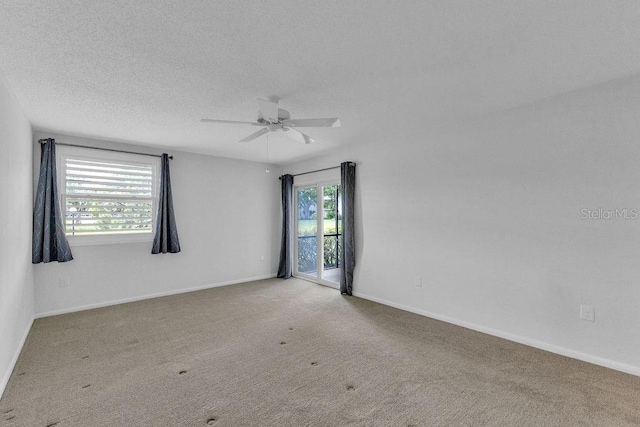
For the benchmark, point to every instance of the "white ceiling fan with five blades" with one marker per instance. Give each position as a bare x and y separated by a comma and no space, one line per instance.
272,119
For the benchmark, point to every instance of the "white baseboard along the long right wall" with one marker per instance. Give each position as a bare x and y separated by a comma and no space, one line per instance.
607,363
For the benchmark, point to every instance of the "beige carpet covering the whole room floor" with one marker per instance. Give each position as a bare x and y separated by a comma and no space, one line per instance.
291,353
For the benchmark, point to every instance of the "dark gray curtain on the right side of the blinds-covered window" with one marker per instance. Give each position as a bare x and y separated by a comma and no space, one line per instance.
165,236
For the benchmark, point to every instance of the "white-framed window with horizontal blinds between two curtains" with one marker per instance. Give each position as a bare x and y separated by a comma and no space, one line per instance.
107,197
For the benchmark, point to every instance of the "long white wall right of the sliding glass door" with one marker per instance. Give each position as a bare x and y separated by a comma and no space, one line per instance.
488,212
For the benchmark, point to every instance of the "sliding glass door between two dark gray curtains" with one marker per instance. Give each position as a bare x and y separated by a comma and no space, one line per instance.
318,233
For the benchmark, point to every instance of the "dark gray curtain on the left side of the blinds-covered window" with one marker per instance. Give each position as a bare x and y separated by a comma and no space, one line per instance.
49,242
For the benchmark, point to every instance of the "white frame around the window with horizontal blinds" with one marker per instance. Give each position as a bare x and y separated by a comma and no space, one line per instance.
65,151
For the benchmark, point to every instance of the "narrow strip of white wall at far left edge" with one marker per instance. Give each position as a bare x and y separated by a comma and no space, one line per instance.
16,270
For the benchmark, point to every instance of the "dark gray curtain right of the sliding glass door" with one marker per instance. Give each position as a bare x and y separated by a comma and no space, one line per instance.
348,183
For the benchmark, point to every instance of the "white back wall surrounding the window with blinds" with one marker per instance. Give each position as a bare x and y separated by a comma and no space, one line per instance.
225,213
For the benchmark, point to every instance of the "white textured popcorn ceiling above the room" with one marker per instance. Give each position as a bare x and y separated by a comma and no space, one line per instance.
147,71
